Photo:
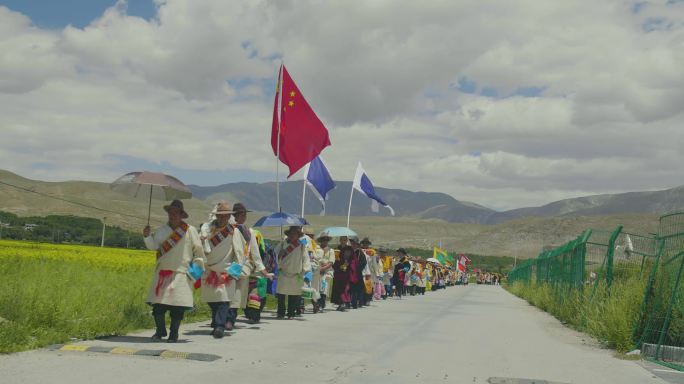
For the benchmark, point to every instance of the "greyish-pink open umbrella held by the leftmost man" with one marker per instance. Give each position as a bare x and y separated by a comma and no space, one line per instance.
162,187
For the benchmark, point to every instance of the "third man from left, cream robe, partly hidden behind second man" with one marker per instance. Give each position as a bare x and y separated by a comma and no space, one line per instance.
250,260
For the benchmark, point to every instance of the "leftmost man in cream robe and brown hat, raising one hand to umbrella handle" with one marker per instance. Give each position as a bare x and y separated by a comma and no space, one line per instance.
178,246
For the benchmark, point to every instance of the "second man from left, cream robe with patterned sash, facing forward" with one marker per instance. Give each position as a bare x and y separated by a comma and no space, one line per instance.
222,246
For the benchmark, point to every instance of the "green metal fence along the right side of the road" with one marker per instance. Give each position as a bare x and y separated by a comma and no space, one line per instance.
598,258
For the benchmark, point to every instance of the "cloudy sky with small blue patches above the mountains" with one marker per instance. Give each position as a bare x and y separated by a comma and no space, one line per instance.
505,103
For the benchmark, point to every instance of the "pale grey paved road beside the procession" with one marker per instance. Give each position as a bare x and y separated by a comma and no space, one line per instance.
461,335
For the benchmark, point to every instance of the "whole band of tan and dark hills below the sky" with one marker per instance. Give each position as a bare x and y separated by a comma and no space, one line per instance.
423,219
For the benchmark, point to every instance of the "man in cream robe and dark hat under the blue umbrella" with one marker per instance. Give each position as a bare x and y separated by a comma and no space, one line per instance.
293,264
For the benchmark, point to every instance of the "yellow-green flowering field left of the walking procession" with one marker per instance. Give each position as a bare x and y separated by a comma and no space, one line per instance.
54,293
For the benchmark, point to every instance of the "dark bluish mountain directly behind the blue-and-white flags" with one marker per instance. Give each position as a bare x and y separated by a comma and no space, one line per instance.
426,205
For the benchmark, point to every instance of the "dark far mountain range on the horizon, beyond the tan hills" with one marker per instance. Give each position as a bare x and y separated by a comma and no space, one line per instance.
435,205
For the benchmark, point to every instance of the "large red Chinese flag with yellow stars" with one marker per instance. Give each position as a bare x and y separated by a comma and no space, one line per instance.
302,134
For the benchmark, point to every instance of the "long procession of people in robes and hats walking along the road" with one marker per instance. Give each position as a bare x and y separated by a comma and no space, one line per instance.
234,268
